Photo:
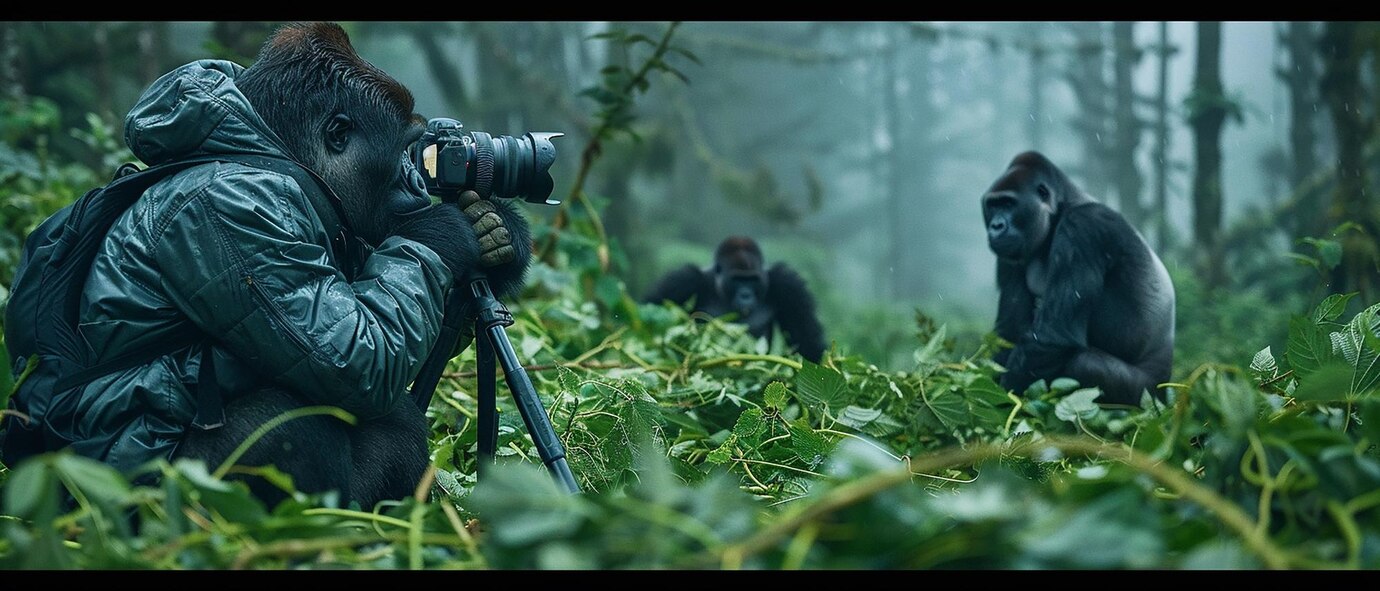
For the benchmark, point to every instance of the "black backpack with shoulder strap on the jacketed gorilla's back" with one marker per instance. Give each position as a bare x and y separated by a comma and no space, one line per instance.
48,353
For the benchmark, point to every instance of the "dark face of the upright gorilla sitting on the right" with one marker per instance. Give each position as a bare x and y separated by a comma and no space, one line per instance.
1018,213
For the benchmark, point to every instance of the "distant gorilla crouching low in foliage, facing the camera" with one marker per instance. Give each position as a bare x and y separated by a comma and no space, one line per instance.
738,282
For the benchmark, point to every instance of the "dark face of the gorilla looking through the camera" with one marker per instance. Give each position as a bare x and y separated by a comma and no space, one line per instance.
364,161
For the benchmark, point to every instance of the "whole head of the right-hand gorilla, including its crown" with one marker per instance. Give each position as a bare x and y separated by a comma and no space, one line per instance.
1022,208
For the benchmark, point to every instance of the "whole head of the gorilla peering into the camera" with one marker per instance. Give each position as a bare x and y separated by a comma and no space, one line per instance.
342,118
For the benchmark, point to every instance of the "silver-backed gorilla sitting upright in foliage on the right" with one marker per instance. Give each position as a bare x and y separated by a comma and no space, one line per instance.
1081,293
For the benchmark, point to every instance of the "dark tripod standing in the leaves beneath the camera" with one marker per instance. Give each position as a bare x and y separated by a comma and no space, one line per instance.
491,343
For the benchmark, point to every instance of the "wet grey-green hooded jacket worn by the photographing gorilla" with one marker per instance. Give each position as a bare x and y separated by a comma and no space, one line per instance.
244,256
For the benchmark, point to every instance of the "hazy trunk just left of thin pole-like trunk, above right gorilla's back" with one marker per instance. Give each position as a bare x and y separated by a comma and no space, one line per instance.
1128,126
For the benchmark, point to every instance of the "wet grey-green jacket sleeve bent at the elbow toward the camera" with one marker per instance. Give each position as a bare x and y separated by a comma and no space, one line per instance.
245,260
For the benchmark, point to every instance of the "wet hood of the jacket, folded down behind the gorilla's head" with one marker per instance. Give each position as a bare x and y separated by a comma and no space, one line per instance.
197,110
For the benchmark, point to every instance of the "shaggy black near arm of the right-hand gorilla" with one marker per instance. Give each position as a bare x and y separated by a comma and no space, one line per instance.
1077,269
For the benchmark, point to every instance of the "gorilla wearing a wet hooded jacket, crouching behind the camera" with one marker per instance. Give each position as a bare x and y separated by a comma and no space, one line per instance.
302,302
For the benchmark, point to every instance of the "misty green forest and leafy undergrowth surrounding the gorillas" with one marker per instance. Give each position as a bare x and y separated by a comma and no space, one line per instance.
1247,155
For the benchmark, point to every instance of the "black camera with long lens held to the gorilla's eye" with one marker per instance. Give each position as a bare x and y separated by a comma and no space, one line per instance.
453,161
